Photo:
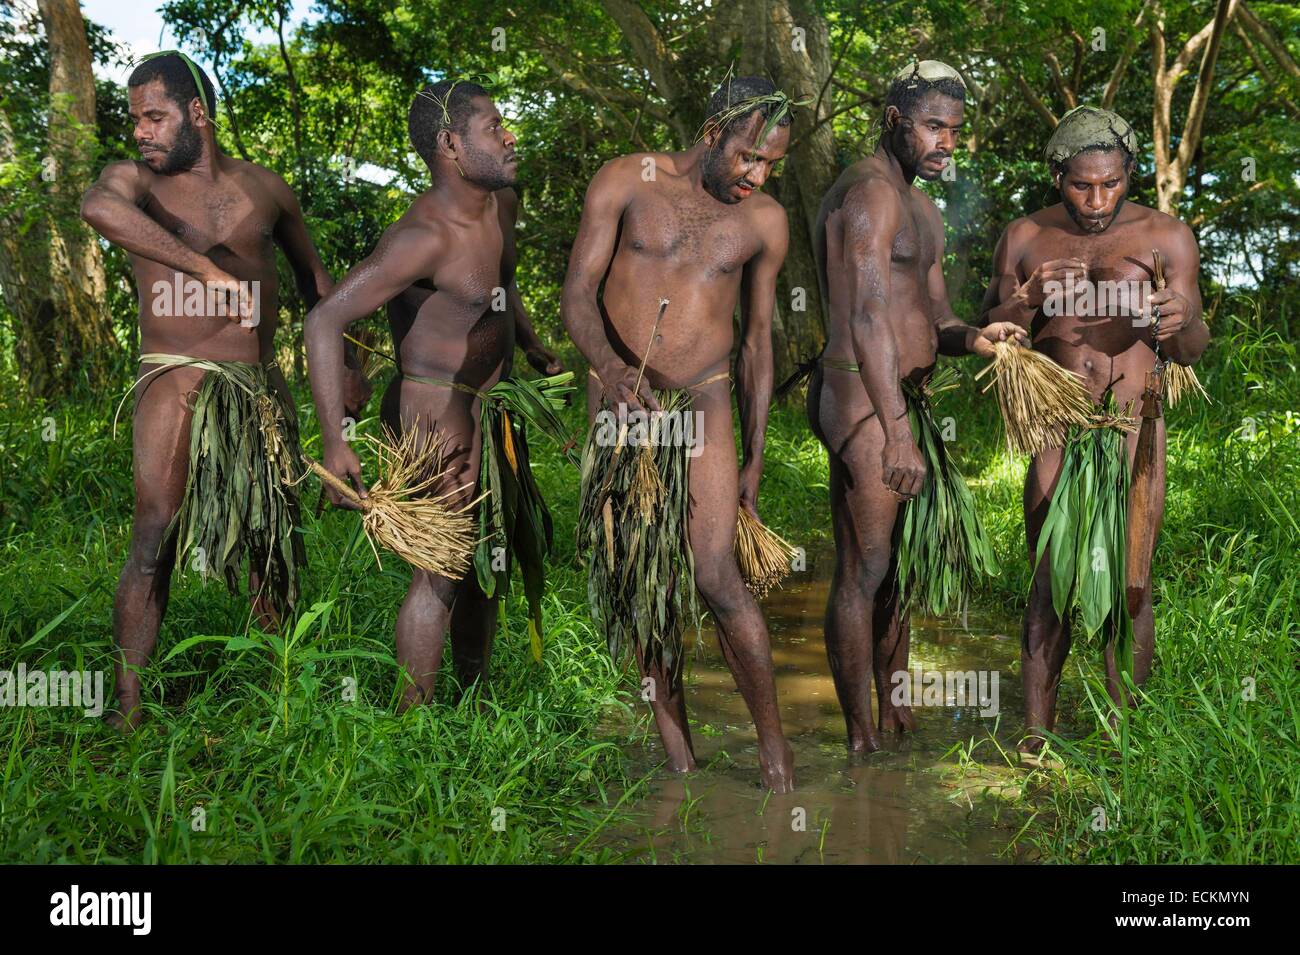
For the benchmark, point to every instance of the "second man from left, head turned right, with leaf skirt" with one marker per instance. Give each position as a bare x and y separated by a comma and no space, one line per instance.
447,272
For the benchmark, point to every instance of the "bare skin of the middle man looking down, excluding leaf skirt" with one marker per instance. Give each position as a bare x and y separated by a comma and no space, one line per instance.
701,236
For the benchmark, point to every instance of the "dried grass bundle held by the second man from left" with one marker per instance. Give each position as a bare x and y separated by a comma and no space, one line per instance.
424,529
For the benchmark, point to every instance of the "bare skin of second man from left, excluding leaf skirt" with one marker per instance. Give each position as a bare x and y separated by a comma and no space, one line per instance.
436,270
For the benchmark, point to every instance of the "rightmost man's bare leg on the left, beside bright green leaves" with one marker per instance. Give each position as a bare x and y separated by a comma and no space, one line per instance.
1045,637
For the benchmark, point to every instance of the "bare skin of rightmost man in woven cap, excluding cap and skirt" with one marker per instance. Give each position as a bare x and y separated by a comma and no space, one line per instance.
1090,237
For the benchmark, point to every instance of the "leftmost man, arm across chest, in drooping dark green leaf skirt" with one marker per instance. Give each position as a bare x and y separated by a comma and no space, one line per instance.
216,433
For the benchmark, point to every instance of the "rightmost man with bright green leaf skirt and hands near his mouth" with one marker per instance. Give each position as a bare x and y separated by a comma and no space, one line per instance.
1080,276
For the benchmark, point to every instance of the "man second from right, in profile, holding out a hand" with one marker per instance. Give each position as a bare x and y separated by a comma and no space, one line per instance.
881,250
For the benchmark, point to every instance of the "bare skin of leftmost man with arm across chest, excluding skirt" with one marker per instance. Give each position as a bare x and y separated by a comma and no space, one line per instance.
218,222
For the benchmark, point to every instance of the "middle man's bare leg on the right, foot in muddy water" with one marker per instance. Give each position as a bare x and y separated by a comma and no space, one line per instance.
742,630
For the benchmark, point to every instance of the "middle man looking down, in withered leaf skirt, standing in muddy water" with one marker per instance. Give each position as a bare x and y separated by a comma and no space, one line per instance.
660,523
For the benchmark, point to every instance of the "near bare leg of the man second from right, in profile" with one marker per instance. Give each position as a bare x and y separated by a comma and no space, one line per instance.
863,641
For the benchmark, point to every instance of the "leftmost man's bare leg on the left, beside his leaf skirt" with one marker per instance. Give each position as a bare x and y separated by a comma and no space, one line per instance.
162,463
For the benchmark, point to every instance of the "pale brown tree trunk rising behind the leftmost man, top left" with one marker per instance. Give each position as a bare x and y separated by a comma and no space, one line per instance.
84,331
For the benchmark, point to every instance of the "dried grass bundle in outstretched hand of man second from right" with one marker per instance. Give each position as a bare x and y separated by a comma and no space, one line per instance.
1039,400
